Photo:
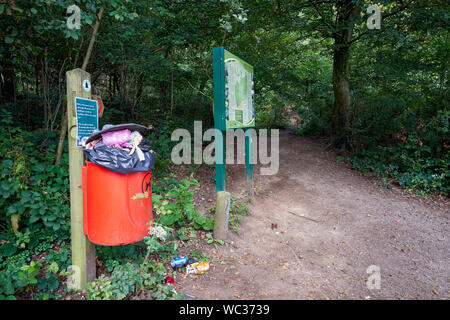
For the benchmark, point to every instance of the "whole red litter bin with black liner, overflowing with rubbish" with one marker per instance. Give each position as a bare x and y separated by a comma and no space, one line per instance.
119,165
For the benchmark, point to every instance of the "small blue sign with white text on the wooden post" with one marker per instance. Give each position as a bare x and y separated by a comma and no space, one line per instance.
87,119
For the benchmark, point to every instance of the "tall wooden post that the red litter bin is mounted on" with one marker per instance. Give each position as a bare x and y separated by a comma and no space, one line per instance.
83,251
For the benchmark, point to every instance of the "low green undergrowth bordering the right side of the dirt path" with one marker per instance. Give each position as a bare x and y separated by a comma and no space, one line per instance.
417,161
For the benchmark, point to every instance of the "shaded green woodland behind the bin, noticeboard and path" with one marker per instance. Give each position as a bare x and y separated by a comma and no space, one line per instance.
379,95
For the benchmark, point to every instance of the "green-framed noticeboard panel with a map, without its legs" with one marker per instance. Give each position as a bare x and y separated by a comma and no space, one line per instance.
234,105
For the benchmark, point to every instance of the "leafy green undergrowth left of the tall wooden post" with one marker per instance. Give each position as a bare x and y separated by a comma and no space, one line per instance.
34,204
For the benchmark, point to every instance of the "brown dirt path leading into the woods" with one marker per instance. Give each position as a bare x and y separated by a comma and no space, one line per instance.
331,225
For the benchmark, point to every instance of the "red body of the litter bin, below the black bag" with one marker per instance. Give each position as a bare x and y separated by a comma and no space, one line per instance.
110,216
